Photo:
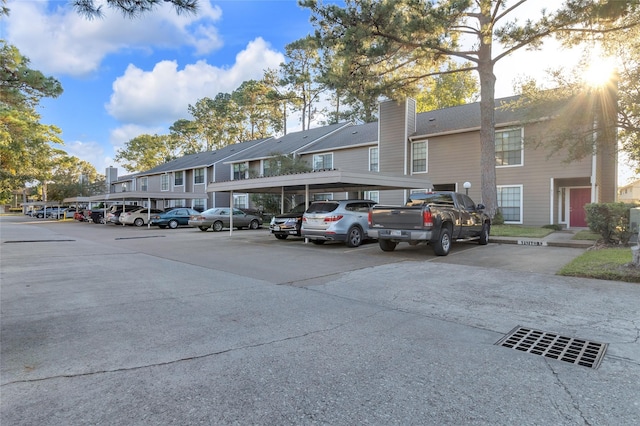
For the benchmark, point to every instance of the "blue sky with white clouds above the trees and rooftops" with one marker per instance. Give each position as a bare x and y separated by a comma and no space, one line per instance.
126,77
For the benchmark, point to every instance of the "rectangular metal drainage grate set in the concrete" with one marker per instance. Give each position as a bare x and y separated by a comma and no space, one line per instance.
552,345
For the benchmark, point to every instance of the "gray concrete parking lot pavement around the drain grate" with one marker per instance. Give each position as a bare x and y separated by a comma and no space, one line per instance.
106,324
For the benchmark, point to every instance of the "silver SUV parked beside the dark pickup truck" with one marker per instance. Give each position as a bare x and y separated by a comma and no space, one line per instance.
337,220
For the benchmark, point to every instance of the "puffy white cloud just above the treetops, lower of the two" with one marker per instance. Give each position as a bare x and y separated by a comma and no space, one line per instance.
163,94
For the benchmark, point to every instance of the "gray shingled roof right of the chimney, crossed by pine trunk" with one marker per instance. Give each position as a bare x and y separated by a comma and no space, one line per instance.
465,117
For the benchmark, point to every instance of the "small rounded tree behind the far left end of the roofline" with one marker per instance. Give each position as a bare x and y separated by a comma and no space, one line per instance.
145,152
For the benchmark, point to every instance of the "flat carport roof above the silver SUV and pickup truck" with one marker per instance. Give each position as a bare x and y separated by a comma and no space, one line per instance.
321,181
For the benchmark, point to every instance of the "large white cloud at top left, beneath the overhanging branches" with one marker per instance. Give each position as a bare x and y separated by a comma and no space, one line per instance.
63,42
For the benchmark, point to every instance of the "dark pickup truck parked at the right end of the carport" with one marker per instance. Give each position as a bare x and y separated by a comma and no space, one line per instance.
435,218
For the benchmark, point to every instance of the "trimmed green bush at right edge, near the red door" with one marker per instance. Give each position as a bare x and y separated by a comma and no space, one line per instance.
610,221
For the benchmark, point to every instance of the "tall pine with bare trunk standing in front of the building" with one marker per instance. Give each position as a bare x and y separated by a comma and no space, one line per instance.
391,37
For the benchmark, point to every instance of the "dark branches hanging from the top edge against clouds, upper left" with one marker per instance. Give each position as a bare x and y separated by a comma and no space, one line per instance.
131,8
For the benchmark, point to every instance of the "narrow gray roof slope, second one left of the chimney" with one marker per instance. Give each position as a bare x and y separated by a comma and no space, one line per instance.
286,144
